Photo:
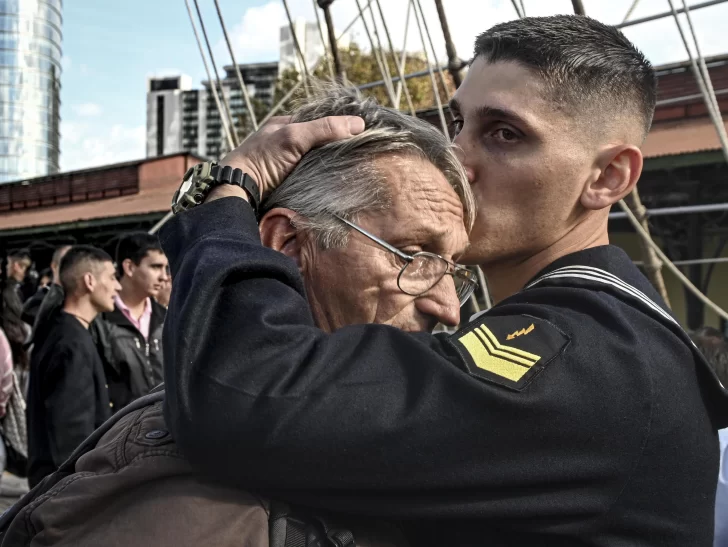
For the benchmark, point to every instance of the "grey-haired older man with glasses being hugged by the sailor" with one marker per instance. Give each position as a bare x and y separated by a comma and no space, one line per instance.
373,225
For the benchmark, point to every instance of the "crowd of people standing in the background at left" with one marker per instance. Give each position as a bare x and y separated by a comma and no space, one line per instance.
86,343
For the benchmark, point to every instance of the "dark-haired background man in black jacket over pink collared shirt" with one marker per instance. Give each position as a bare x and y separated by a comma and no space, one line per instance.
130,336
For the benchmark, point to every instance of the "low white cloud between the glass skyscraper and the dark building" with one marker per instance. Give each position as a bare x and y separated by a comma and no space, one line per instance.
84,144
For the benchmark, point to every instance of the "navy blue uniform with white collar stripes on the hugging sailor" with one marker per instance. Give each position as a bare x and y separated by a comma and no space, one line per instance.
576,412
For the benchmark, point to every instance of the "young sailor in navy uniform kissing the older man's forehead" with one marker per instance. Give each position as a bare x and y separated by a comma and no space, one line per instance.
550,420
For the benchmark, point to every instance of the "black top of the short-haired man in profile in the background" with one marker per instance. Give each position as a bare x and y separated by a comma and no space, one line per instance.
67,395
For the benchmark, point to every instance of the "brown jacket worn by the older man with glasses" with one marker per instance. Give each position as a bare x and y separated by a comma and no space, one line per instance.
135,488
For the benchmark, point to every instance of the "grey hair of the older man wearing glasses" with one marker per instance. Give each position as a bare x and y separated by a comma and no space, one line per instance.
341,178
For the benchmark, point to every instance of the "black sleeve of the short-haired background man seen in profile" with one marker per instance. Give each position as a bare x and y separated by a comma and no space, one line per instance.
71,400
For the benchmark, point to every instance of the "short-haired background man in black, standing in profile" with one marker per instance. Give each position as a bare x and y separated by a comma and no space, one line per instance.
68,397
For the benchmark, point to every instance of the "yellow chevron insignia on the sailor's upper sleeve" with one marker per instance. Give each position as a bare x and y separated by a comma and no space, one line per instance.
490,355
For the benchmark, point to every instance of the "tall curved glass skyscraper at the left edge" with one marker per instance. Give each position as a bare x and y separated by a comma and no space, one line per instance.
30,85
